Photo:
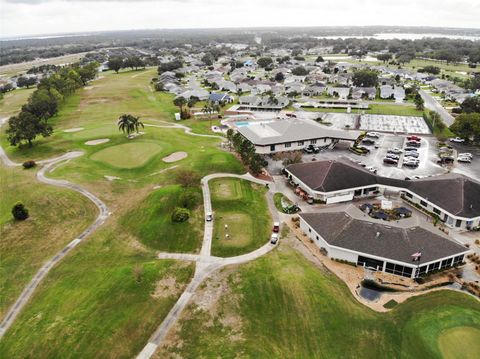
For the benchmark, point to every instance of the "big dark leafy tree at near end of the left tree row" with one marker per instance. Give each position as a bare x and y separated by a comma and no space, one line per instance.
26,127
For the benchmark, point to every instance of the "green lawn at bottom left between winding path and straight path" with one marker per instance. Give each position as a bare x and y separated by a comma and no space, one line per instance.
103,301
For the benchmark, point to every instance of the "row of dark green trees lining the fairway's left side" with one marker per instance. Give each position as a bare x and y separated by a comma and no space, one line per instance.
44,102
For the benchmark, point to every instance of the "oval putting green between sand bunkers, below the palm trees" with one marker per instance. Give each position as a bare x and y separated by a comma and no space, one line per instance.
127,155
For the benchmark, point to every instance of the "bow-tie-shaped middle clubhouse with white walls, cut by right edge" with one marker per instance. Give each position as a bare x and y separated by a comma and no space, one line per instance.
453,198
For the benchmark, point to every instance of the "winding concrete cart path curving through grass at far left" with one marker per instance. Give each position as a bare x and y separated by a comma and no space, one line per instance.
43,271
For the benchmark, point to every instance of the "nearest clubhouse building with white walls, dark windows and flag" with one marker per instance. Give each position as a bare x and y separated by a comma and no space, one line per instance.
408,252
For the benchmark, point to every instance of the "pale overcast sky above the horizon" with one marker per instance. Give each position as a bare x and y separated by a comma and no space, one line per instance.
32,17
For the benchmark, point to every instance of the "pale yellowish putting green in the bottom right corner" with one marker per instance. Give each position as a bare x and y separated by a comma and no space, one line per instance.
460,342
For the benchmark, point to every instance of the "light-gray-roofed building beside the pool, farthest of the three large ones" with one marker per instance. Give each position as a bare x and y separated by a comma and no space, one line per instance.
292,135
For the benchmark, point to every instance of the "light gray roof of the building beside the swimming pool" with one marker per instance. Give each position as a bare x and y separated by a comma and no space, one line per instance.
291,130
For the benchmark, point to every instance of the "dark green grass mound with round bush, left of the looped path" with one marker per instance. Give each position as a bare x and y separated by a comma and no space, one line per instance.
151,222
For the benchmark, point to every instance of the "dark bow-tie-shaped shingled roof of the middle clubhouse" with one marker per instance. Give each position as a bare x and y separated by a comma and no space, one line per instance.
455,193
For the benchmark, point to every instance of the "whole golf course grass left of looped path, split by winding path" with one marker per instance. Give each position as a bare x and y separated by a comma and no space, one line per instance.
98,301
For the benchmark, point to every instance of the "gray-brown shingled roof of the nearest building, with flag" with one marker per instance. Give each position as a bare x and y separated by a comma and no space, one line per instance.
341,230
